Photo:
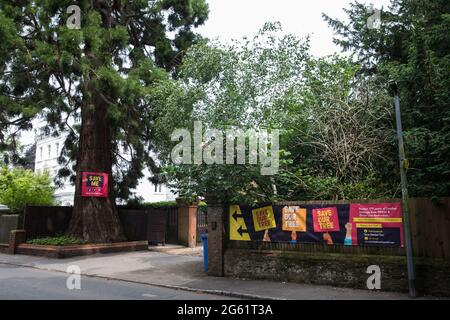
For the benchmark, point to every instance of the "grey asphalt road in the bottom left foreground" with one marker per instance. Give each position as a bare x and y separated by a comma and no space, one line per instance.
32,284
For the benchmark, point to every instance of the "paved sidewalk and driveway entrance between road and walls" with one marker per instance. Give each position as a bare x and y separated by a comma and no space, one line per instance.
186,273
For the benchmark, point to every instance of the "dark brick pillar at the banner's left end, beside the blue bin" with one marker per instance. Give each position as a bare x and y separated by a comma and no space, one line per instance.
216,236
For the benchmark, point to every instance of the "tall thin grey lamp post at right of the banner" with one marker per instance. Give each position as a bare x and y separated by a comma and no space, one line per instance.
403,166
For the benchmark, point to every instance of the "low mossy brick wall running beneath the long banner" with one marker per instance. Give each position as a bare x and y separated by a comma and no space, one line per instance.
341,270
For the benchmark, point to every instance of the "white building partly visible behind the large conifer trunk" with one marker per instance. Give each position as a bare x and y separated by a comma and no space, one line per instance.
48,149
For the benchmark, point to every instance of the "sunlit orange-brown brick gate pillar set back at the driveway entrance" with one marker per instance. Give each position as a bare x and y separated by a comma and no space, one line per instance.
187,223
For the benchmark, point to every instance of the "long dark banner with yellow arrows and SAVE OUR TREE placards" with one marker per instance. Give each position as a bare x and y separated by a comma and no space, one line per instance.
348,224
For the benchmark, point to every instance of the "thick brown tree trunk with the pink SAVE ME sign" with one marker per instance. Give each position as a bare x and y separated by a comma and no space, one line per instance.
95,219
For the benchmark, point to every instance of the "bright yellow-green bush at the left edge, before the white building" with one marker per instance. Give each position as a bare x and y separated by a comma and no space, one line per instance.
20,187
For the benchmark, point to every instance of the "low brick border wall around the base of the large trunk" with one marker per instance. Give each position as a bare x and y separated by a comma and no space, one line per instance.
62,252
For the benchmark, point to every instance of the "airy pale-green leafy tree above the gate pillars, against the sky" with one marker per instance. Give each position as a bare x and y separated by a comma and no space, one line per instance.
238,86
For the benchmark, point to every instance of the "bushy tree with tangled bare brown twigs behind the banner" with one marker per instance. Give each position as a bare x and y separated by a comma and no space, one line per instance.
338,134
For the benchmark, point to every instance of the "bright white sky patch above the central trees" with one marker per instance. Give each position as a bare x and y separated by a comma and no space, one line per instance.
233,19
